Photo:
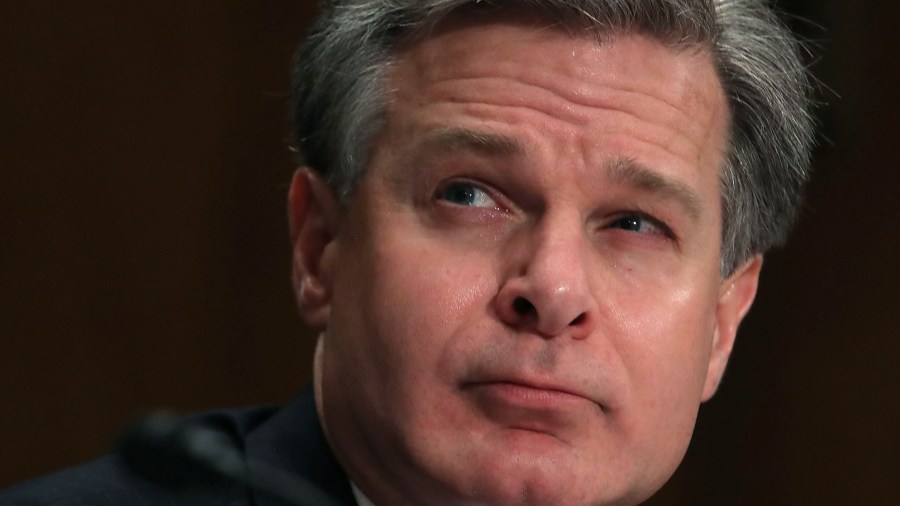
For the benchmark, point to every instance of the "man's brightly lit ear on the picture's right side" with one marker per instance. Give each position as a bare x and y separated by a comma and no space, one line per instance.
736,294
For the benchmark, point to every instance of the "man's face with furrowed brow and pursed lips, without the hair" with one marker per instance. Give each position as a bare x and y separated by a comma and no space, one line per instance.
522,303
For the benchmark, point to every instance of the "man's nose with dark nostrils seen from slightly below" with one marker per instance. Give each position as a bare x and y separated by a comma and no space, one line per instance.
548,292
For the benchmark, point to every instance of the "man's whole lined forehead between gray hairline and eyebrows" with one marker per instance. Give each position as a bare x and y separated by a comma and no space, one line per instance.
515,67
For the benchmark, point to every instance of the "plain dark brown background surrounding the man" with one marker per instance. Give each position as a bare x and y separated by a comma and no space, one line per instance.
144,257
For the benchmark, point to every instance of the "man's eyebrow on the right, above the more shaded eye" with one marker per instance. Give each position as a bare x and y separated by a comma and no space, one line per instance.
635,174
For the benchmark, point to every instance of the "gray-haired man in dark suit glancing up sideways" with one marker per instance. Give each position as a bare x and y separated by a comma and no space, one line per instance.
528,232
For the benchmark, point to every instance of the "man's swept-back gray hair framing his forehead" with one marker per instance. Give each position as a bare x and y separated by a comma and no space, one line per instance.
339,95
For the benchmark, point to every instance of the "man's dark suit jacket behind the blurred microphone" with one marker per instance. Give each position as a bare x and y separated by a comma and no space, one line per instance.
290,439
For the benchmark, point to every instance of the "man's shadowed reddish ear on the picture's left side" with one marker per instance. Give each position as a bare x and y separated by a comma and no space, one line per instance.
313,216
